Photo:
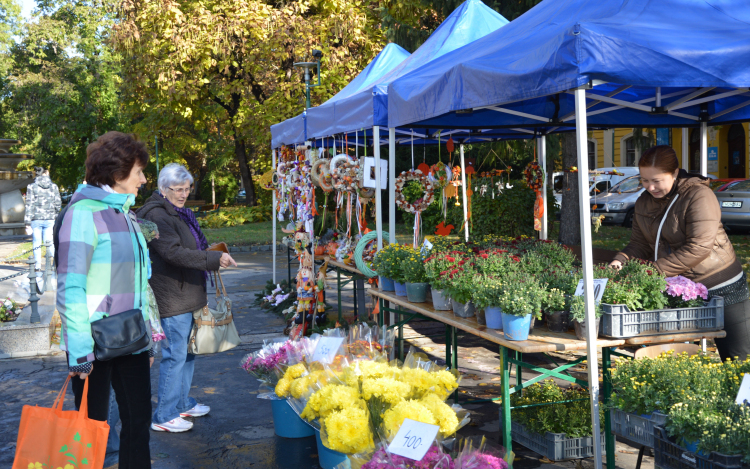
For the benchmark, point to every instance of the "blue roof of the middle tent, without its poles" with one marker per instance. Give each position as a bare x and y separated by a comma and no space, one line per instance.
469,22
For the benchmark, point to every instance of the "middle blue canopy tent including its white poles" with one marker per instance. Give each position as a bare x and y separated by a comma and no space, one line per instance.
368,108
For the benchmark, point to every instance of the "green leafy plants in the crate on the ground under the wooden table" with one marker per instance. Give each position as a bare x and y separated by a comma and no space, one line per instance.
571,418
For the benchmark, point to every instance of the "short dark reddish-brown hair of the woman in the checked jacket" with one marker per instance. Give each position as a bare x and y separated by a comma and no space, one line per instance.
112,156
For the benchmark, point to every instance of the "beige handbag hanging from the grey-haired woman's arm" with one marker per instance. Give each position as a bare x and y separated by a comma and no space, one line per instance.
213,329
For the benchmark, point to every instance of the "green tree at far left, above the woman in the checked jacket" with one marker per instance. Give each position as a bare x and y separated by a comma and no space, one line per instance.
60,92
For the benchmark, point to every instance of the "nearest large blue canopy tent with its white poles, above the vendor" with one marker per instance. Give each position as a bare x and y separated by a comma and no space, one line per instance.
640,63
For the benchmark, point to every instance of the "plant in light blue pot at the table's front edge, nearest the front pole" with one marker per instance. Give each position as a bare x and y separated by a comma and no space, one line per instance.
521,297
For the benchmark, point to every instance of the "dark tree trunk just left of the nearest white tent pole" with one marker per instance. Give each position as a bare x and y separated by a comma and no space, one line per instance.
570,212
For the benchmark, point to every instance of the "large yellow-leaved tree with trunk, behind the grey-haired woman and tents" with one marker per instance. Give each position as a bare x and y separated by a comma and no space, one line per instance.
233,62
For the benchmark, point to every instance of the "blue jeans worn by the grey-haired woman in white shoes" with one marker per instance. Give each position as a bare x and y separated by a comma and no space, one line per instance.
176,369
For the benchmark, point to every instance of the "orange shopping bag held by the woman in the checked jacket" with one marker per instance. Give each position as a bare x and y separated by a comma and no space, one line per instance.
56,438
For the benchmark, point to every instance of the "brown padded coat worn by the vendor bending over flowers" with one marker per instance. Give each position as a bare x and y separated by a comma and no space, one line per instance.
693,241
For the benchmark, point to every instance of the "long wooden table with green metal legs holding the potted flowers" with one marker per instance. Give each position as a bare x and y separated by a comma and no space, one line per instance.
539,341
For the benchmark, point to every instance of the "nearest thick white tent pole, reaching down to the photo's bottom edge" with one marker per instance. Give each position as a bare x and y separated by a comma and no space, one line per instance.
584,201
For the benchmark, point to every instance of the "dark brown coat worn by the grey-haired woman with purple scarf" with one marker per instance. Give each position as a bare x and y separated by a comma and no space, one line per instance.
177,264
